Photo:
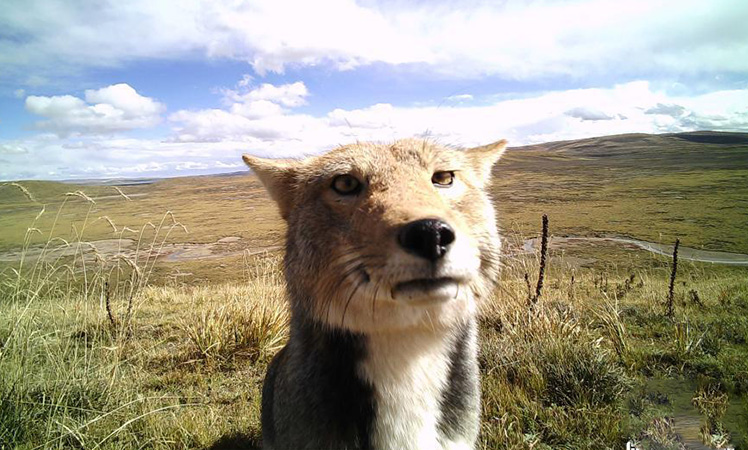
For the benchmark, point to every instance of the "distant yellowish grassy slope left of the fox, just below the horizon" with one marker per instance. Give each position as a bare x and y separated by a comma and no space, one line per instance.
210,207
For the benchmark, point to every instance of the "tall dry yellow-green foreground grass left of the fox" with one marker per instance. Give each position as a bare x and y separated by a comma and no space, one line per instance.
184,371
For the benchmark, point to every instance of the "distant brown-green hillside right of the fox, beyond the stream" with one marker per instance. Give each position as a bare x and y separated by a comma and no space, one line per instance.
648,187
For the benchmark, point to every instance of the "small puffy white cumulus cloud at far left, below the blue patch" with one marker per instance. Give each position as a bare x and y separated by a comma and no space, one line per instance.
108,110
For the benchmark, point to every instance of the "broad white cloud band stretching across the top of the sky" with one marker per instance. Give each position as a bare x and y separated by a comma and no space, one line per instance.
518,39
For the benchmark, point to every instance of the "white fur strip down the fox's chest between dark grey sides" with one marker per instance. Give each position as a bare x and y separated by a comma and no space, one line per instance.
409,372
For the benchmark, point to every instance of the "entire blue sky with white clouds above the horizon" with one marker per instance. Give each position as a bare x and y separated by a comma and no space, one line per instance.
145,88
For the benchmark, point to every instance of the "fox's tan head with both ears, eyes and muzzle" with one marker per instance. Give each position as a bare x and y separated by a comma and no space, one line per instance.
384,237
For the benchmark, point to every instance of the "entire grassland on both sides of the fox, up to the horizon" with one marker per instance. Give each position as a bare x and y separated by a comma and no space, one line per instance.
127,347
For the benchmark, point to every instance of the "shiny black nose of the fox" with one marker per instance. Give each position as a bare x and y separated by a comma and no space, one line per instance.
427,238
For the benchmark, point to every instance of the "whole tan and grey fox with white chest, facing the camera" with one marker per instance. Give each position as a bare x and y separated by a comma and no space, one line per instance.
388,249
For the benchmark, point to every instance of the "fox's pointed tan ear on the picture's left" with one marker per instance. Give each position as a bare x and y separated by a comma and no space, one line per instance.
279,178
